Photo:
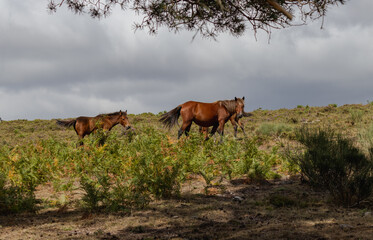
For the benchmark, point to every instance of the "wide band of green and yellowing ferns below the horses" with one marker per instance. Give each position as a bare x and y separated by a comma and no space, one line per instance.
116,171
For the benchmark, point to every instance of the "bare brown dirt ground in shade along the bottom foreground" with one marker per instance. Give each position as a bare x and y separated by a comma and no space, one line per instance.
285,209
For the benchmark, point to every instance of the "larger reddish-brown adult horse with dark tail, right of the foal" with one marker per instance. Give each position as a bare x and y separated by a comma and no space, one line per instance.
214,114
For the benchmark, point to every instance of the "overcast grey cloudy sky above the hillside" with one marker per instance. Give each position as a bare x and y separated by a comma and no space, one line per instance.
64,65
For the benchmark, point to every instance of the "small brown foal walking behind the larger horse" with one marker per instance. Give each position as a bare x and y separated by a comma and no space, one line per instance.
86,125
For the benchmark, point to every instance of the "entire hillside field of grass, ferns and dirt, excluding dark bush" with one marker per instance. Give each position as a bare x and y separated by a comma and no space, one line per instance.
146,184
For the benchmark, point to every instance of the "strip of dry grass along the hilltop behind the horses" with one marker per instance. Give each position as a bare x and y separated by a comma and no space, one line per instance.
348,119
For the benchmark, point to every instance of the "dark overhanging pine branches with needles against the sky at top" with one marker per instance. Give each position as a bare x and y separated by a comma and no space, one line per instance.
208,17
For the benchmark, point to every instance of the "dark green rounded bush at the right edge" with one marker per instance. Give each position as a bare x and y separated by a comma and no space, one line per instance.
334,163
